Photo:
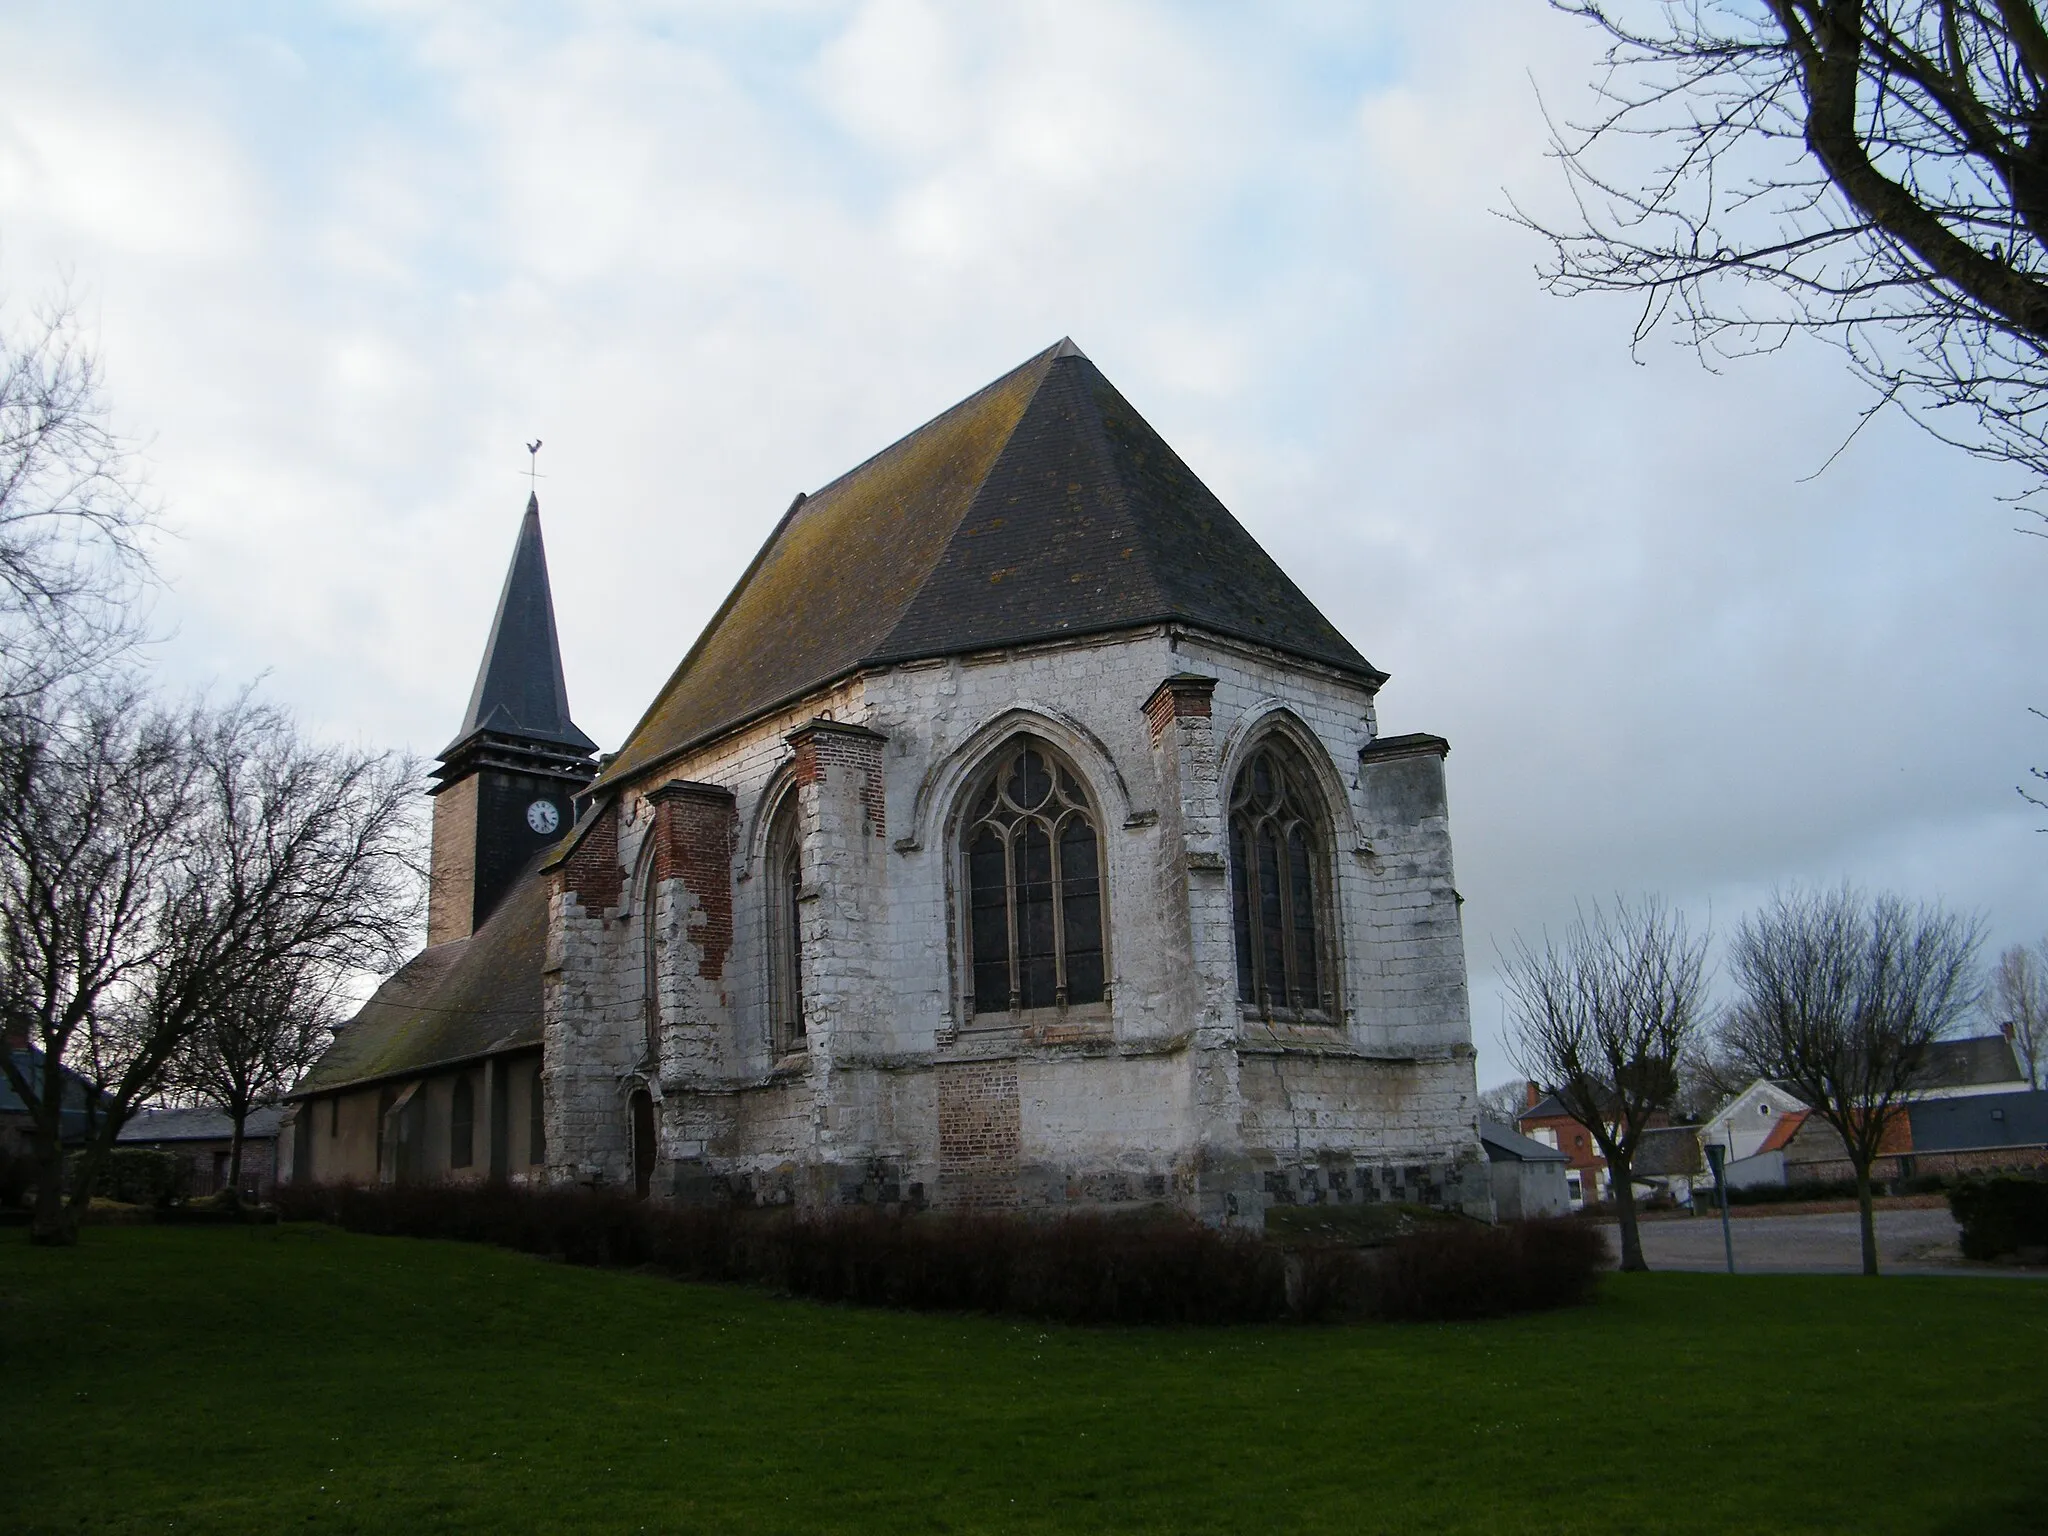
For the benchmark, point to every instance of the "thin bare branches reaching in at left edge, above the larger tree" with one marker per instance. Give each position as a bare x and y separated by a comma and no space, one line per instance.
71,513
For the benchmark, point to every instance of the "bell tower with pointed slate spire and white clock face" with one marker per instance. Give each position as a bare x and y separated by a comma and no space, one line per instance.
507,783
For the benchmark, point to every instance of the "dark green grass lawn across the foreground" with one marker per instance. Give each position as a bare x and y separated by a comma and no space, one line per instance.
298,1377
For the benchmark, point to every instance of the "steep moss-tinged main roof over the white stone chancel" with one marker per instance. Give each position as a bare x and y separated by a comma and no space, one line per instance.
1039,507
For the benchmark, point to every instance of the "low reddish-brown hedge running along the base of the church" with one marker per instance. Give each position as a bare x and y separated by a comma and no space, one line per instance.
1064,1269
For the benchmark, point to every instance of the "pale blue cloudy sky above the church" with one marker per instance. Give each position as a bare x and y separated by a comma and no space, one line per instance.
343,261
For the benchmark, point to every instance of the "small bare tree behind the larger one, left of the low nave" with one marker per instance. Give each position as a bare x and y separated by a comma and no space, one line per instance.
255,1046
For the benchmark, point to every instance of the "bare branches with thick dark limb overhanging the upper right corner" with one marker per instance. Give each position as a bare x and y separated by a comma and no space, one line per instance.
1865,171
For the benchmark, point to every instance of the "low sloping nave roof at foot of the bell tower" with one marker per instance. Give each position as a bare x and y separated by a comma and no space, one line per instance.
454,1002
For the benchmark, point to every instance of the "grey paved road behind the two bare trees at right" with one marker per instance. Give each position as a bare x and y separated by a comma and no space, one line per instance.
1910,1242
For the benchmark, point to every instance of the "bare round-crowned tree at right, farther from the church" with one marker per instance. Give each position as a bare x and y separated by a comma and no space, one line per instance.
1842,1000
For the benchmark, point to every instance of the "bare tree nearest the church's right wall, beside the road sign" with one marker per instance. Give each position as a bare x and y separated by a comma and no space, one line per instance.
1603,1019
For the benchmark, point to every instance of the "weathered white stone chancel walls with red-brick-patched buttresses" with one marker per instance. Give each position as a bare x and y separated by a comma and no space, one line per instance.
1170,1091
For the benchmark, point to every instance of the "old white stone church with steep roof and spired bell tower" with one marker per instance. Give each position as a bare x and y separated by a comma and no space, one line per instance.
1015,837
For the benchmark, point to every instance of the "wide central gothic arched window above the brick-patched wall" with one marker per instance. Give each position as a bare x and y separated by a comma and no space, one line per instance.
1033,884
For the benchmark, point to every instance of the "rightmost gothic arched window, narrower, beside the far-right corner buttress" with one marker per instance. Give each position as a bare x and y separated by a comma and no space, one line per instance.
1279,886
